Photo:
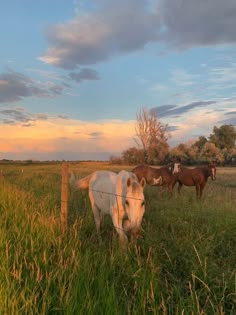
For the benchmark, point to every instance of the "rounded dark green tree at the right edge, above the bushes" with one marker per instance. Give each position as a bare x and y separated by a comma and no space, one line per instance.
223,137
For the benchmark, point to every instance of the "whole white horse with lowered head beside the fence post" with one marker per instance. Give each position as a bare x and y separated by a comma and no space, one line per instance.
119,195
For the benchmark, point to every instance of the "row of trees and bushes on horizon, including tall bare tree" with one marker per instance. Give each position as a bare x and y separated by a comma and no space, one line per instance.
151,144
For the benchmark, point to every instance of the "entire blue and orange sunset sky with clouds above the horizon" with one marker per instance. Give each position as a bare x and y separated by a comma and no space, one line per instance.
74,74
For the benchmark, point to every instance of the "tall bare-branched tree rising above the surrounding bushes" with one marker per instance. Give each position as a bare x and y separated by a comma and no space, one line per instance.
151,135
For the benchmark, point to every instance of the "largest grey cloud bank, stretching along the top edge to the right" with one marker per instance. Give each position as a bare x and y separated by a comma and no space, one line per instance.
115,28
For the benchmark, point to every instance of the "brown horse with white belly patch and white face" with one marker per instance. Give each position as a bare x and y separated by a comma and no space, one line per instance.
163,176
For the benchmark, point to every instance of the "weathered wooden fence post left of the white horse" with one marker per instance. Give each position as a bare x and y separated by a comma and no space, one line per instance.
64,197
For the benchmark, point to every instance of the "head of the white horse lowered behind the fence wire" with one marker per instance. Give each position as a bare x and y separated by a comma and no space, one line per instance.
134,206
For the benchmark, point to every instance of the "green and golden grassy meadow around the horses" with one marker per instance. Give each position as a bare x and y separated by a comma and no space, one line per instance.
184,261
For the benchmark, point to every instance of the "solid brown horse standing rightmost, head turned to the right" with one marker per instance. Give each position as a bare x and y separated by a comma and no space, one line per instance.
195,177
